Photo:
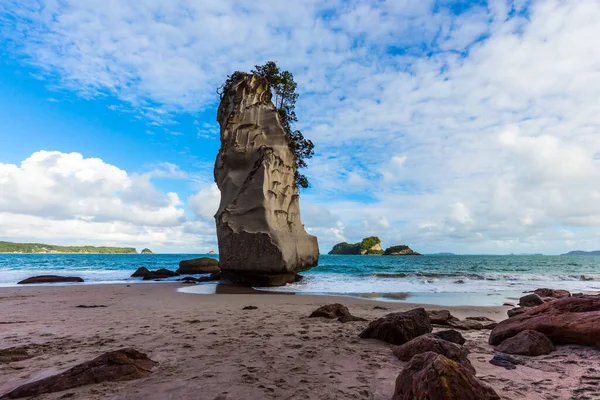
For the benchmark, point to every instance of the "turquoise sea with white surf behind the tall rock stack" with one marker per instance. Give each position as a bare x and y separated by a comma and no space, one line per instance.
384,277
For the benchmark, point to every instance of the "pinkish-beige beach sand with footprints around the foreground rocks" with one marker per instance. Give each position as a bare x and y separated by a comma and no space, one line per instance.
208,347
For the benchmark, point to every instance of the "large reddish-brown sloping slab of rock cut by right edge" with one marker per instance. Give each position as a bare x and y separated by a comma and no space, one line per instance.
571,320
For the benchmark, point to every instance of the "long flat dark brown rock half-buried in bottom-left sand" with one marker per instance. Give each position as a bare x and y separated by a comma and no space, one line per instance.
121,365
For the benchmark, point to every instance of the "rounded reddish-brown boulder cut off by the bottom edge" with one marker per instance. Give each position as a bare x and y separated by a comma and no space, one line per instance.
431,376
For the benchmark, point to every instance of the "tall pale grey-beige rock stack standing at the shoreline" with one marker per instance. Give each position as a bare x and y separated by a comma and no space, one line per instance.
261,238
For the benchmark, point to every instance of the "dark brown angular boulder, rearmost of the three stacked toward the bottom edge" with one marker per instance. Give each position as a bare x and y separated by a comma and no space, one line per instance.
399,328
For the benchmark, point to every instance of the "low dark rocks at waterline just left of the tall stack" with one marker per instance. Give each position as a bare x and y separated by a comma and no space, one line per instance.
205,265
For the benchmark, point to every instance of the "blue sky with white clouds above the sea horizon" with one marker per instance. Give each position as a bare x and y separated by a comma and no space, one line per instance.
446,125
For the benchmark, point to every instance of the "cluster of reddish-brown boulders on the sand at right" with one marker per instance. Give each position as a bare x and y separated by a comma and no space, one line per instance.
437,363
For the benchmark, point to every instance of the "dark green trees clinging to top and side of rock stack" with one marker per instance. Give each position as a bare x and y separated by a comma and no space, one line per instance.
284,88
